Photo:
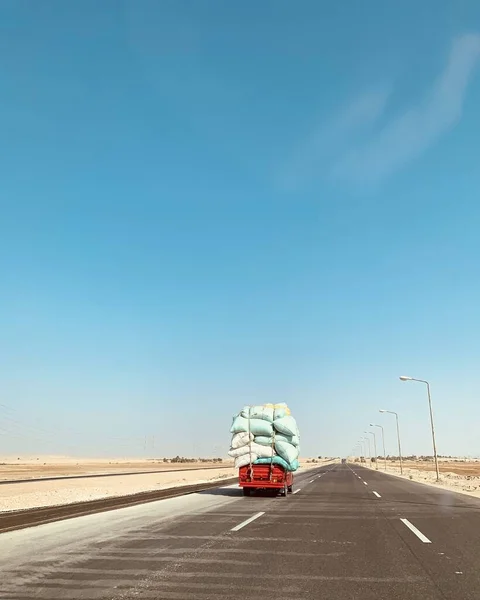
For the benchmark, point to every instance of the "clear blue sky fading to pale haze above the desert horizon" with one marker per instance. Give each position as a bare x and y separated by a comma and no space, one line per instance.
206,204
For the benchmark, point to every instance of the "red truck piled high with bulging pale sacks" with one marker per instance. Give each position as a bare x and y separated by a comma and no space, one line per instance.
265,446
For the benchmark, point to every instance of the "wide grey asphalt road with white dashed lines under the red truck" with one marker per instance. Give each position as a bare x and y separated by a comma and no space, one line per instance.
348,532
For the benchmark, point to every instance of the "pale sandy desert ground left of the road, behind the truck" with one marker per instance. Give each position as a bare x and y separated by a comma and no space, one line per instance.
19,496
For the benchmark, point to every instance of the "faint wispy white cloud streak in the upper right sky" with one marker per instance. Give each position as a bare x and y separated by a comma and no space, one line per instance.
338,149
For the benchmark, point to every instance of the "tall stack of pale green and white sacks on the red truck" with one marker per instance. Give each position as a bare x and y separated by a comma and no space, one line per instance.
265,434
